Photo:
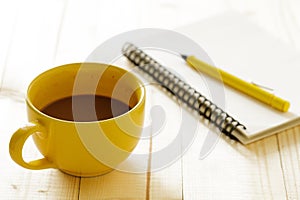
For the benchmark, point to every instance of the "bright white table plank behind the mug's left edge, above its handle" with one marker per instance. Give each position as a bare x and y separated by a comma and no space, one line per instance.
34,42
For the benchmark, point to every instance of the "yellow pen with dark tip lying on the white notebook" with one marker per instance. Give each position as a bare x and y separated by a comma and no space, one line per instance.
238,84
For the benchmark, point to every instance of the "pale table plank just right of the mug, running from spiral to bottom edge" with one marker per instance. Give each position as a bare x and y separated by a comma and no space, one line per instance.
166,175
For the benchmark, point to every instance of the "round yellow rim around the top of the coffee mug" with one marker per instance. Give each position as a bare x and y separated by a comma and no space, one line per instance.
140,100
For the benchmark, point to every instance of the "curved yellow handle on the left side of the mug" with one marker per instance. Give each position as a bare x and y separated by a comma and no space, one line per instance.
17,142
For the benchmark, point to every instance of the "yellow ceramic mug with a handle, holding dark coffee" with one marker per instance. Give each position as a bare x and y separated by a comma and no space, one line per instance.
81,148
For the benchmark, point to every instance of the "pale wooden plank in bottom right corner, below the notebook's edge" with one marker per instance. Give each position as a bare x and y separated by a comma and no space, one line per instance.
289,147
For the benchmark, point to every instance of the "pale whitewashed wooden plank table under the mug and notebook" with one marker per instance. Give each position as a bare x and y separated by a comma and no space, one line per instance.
37,35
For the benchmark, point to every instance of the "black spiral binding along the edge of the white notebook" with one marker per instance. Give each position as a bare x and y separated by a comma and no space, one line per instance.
193,99
